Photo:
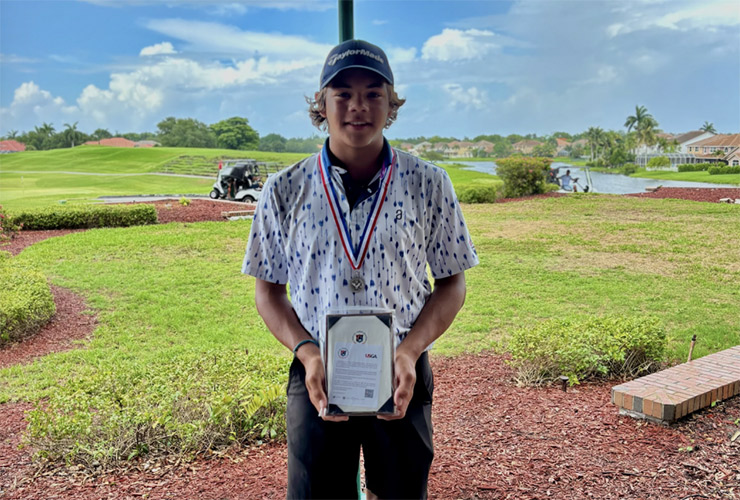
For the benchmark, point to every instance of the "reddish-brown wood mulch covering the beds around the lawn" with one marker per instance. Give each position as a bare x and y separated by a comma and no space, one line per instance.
493,440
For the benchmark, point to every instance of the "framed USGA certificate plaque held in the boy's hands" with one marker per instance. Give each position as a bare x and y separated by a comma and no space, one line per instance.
358,356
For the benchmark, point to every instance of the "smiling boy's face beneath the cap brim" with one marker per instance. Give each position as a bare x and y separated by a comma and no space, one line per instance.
357,107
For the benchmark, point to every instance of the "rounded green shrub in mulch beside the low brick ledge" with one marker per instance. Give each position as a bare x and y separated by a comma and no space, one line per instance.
590,347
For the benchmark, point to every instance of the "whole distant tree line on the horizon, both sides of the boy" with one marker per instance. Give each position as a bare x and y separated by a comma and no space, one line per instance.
603,148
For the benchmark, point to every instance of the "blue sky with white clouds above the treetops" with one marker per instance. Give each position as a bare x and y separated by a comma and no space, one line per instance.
465,67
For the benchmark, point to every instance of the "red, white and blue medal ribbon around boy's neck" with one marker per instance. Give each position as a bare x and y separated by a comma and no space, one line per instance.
356,255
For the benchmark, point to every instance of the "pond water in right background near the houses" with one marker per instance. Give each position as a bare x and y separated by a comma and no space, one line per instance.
606,183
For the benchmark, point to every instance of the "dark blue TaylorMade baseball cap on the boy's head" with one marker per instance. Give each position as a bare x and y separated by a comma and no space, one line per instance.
355,54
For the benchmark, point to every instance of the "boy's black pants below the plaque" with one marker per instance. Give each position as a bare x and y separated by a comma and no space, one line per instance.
323,456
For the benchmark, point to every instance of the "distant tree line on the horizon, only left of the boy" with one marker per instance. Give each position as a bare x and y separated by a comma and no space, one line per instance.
232,133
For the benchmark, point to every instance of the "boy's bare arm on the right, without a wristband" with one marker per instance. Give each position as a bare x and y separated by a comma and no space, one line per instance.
436,316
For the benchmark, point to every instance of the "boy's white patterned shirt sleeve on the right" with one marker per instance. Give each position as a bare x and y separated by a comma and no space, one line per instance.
450,249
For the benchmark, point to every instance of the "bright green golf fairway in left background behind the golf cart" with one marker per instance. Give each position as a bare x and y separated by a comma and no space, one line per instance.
36,179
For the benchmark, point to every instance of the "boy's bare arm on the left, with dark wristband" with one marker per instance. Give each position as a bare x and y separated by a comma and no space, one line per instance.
278,314
